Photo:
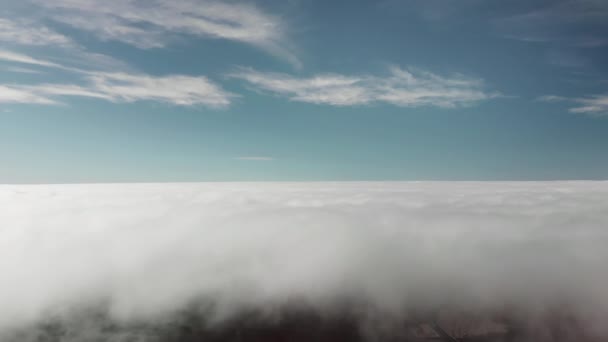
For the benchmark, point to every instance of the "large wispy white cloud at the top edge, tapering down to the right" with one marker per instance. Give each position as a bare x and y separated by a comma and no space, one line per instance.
153,24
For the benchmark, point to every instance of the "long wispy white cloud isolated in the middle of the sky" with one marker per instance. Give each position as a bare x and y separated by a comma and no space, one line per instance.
401,87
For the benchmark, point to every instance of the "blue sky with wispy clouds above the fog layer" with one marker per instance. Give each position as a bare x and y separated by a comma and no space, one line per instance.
197,90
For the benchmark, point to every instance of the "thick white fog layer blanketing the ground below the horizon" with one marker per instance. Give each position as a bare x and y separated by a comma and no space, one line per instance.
143,254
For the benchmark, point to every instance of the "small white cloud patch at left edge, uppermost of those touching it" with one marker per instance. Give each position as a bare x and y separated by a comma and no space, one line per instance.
25,33
